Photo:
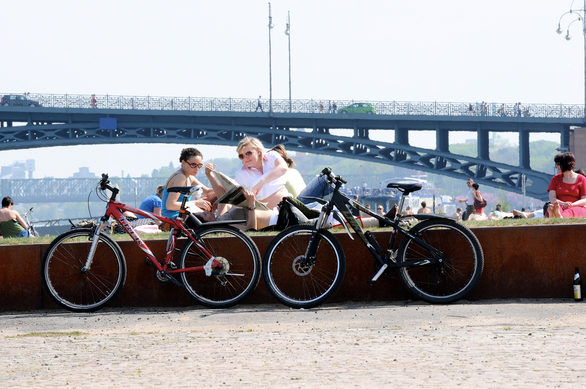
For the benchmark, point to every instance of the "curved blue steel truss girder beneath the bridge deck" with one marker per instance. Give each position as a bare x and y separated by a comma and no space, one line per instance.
319,141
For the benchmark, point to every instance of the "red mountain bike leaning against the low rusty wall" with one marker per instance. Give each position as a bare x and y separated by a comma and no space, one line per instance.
219,265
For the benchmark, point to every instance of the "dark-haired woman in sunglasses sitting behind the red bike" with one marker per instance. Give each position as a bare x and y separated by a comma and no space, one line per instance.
191,161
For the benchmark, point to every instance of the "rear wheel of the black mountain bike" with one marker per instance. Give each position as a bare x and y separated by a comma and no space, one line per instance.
456,275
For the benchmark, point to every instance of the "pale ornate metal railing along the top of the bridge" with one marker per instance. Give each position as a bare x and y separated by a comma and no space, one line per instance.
316,106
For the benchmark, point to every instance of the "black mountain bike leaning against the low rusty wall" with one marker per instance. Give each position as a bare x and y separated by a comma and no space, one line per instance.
438,259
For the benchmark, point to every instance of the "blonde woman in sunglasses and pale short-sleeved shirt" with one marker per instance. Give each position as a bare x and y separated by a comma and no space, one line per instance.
263,173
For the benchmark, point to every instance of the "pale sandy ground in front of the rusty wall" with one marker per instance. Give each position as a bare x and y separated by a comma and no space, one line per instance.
494,344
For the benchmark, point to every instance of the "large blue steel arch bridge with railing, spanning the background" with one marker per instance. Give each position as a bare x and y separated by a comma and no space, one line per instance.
301,125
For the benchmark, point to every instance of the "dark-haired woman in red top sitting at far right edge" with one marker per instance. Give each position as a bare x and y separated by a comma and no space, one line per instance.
567,190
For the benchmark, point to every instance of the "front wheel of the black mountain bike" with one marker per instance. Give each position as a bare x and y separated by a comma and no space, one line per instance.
293,286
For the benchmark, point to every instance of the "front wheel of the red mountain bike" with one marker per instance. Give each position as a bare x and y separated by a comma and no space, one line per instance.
80,291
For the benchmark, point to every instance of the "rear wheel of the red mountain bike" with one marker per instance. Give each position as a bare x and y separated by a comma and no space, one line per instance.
240,253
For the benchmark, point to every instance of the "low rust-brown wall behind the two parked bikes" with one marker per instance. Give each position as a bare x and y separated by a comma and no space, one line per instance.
520,262
